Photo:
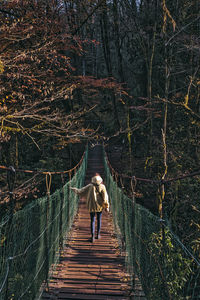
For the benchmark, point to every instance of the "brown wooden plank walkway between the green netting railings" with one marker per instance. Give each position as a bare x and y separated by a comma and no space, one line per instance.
91,270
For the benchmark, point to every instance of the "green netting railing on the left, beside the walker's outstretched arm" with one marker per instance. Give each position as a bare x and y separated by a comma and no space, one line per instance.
32,238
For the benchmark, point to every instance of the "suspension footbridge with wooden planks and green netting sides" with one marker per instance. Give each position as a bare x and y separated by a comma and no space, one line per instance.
46,253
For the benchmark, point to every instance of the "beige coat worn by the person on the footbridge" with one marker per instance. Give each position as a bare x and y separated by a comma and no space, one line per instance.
96,196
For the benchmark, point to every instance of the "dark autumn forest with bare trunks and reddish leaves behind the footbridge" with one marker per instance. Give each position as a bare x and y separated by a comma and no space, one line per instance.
122,72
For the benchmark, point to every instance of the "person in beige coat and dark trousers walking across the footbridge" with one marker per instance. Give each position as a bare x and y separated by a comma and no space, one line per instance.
96,200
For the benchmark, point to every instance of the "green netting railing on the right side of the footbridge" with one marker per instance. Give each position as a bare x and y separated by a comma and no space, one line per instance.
165,267
